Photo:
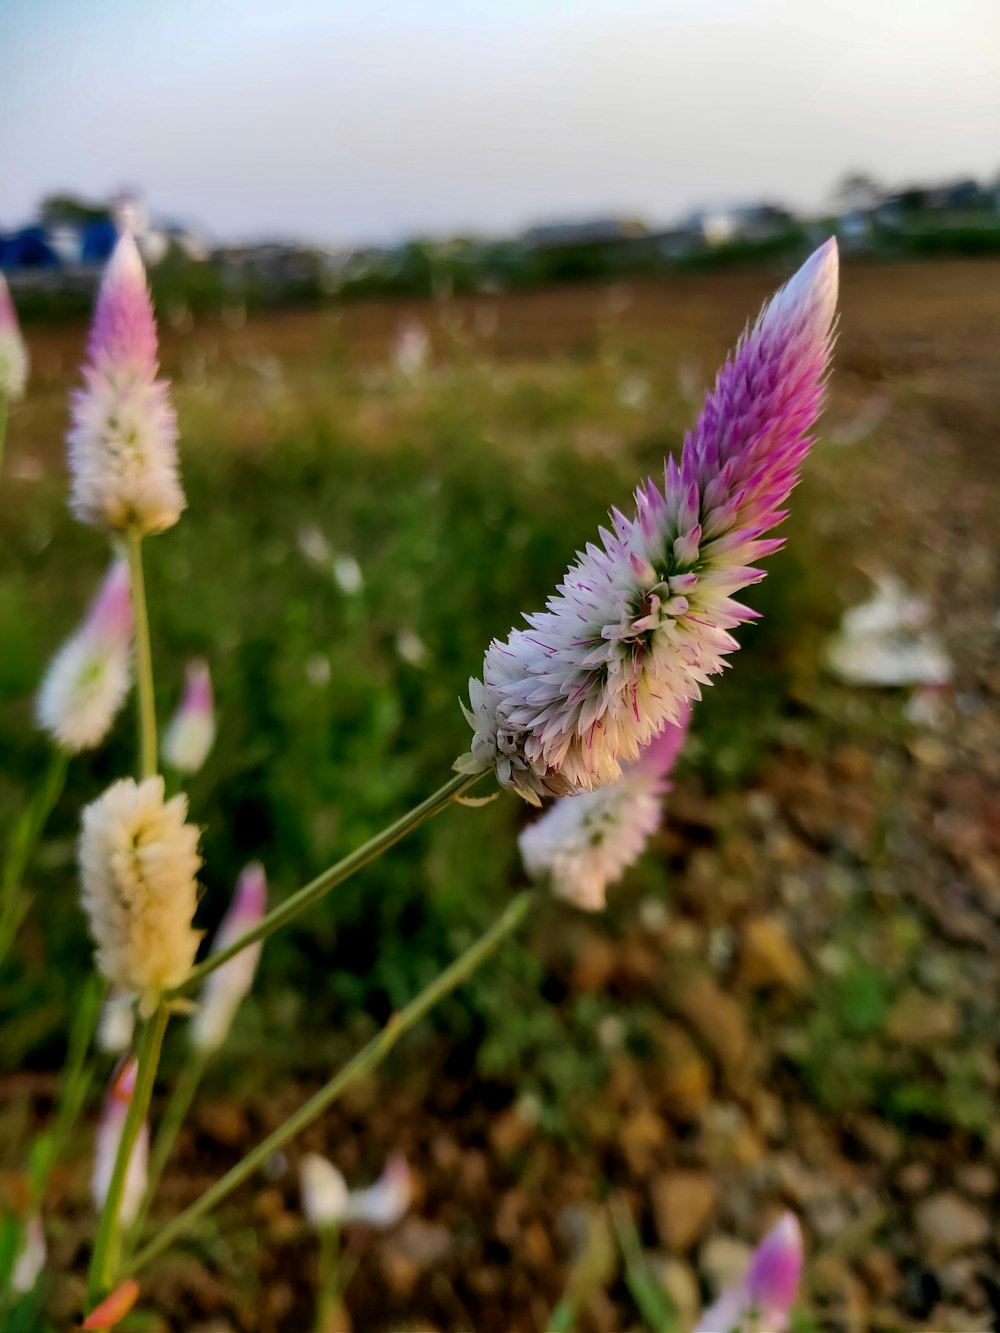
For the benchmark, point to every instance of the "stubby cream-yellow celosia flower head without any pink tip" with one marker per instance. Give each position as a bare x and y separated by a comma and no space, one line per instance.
138,867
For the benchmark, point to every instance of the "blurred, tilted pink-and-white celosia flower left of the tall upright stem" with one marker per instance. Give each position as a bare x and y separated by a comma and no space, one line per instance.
89,679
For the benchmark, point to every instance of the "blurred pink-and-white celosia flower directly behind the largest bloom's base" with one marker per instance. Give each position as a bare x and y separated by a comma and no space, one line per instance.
586,843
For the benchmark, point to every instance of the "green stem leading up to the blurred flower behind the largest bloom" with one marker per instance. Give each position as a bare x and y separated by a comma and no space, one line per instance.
369,1059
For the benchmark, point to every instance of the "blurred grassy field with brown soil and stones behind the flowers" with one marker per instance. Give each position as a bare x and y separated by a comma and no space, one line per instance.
354,541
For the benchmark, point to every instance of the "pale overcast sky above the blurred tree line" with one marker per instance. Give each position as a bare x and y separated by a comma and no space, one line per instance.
375,119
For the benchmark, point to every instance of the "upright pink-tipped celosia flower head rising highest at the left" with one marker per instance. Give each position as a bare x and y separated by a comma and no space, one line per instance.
123,453
